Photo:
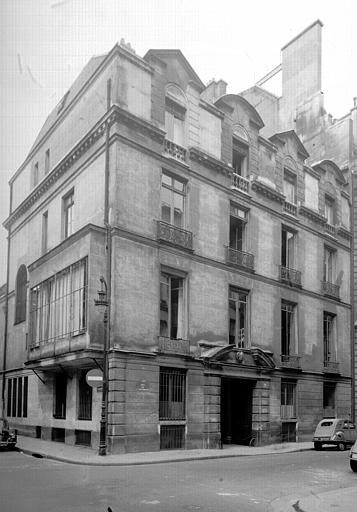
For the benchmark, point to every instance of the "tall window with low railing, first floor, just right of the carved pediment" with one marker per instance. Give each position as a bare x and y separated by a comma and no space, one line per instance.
289,334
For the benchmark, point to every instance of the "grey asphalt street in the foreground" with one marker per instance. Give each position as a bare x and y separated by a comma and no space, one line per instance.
243,484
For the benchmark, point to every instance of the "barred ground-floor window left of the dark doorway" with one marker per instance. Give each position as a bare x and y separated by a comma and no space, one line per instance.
172,394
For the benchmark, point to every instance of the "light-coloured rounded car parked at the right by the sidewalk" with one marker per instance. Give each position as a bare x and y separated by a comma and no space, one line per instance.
336,431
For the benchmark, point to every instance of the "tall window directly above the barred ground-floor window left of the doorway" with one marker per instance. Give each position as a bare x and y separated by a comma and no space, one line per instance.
172,306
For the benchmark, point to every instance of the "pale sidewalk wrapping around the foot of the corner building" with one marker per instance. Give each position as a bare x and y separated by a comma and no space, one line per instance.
83,455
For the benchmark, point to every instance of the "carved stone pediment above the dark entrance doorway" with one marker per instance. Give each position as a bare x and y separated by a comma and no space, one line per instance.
230,354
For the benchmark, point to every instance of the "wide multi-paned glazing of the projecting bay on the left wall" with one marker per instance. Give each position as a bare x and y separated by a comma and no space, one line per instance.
59,305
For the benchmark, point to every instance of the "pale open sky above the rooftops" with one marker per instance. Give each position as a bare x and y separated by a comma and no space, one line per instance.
44,44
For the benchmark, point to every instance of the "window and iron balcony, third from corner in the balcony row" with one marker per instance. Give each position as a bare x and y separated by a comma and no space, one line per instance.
288,272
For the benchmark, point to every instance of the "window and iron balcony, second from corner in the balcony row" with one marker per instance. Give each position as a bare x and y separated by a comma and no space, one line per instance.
235,254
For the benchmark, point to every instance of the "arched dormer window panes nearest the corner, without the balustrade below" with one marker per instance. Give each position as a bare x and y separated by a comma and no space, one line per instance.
175,112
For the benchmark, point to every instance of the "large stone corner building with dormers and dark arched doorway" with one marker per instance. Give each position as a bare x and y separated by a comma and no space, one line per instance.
226,258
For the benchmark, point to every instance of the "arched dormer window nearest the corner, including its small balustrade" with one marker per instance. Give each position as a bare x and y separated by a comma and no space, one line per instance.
175,113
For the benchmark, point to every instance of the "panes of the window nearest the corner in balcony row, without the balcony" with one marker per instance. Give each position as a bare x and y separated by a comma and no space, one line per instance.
172,200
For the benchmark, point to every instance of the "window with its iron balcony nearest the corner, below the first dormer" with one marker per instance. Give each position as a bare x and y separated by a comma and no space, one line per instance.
170,228
